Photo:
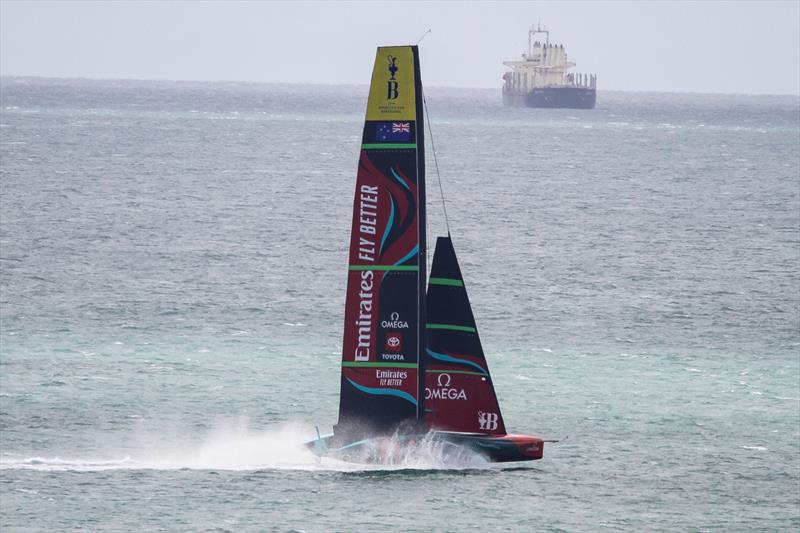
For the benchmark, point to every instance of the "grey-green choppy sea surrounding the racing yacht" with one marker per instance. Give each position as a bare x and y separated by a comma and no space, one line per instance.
172,271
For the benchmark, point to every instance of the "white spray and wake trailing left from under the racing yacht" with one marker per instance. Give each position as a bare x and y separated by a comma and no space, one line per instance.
237,447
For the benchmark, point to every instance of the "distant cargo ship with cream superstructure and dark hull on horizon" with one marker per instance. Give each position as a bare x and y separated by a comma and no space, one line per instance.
542,79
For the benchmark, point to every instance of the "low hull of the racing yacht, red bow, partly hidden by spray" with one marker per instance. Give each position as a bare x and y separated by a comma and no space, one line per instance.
391,450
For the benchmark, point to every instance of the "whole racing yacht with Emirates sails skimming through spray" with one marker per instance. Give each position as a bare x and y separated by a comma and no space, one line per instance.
413,368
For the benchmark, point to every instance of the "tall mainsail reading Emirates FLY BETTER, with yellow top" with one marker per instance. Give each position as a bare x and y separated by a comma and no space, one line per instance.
385,304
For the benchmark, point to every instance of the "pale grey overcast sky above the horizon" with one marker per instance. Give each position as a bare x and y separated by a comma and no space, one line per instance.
722,47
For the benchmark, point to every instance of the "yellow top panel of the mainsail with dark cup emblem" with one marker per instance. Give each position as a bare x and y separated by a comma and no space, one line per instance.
391,95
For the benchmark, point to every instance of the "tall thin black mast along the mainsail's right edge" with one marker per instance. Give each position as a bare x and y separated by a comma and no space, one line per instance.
422,228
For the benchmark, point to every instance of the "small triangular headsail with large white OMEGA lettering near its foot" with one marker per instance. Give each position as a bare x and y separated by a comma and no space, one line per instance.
459,395
